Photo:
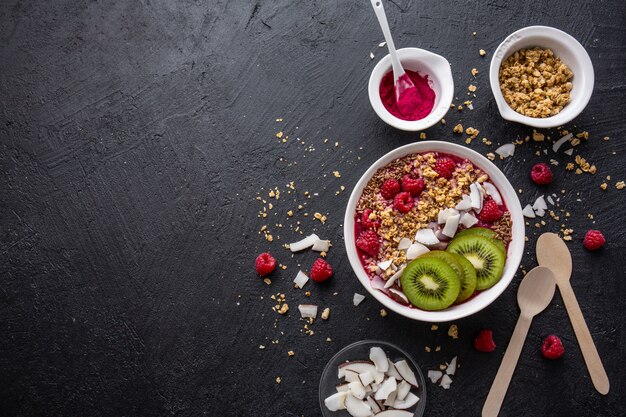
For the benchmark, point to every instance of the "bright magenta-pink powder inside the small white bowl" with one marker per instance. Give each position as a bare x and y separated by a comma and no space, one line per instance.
414,103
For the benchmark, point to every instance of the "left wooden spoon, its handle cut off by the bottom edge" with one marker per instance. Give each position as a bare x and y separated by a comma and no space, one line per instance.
533,296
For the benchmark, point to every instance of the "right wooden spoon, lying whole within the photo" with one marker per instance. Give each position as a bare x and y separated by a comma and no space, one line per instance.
553,253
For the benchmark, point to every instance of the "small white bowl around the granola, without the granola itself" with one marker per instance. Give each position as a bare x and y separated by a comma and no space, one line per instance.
565,47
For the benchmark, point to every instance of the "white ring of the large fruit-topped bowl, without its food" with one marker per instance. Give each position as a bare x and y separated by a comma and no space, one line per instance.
515,250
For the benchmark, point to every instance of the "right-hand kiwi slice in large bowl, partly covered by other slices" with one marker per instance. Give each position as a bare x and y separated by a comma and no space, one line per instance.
485,256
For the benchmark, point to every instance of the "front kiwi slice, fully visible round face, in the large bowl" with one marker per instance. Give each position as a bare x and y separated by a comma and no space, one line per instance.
430,283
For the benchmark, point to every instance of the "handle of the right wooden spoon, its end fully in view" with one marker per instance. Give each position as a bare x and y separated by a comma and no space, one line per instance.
588,348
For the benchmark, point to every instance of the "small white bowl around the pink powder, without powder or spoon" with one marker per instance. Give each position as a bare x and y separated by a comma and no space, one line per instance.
425,63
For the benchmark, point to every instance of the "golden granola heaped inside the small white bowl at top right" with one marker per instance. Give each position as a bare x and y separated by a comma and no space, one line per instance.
535,83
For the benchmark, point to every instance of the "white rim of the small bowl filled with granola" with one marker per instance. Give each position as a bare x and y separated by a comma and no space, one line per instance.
569,42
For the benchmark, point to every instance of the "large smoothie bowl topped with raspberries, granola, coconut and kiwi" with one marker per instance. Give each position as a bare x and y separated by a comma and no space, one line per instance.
434,231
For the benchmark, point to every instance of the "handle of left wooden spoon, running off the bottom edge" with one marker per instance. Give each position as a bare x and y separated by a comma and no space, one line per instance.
505,372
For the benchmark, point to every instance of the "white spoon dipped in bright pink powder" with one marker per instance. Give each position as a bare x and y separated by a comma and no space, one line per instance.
402,82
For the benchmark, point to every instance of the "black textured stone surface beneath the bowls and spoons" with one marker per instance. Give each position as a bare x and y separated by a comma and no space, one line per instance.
134,138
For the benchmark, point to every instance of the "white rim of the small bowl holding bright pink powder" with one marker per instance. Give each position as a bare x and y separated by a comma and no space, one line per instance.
445,79
